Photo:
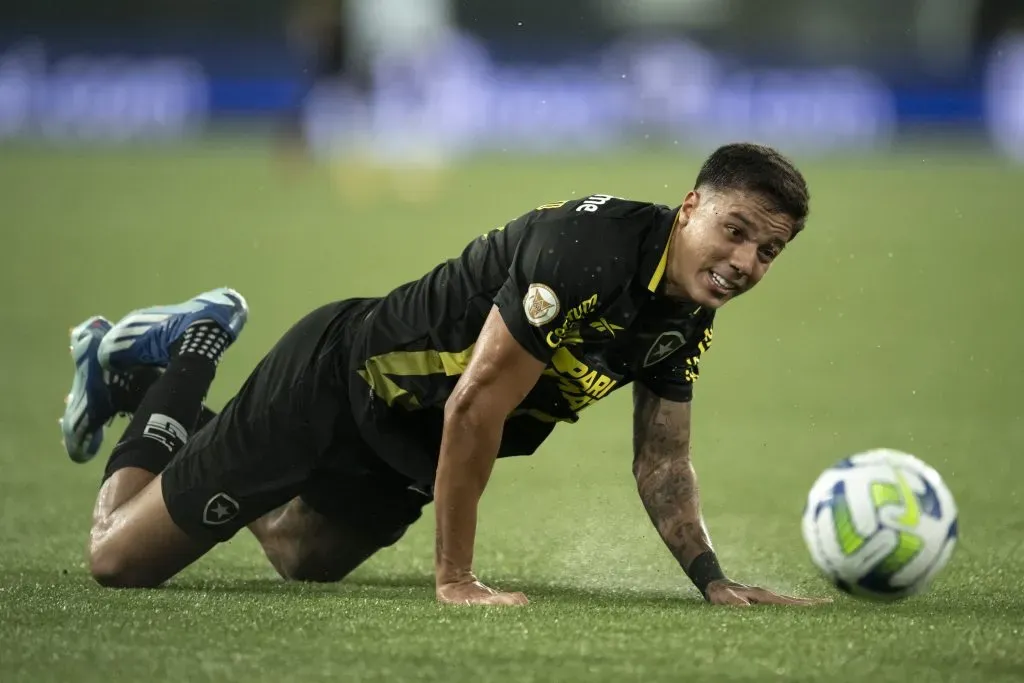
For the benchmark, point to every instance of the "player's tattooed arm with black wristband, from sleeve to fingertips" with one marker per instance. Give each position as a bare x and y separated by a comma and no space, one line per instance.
668,487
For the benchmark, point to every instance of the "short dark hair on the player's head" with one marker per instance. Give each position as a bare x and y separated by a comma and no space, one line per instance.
759,169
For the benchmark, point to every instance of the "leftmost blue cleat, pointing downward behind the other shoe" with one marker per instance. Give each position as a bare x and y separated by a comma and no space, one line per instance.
89,407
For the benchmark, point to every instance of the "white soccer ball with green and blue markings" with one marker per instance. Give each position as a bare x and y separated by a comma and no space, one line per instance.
880,525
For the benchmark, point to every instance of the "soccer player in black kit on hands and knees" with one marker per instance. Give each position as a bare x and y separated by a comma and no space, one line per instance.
369,409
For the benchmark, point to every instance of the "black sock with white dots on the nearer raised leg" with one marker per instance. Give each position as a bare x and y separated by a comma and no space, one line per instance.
170,410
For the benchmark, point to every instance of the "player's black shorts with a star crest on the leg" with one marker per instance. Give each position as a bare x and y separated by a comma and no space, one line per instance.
290,433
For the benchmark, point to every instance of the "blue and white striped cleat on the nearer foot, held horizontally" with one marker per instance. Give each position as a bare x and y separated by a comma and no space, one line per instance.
145,337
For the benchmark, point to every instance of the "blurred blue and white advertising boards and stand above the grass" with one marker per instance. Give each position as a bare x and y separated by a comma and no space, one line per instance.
426,81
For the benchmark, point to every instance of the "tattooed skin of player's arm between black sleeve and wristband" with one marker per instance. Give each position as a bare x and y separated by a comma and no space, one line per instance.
665,476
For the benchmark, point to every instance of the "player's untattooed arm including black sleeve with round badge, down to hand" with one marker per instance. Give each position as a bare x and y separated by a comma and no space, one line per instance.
554,270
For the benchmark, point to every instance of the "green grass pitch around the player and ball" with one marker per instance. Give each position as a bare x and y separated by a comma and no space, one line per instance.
897,320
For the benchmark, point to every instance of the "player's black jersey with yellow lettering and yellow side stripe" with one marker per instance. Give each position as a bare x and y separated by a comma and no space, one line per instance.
578,284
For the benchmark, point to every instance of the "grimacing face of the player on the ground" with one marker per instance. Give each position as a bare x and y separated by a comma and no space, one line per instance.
723,245
